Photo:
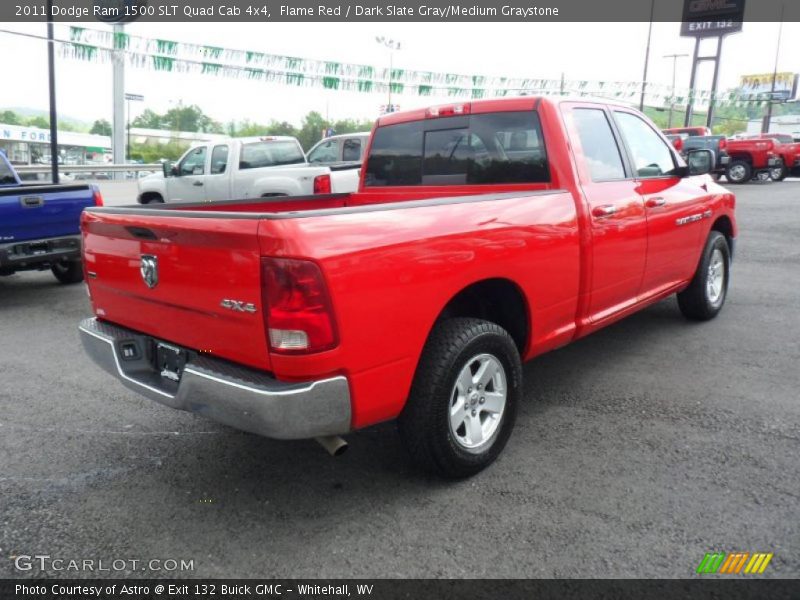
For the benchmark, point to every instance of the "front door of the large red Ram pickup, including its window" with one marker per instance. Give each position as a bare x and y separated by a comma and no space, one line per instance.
675,206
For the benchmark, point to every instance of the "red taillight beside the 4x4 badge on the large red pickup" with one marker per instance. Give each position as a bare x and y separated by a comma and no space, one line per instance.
297,309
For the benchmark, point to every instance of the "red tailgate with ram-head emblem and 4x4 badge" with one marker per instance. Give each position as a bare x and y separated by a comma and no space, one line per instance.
193,281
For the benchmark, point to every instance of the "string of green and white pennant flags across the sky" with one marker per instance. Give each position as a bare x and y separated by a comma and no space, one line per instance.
168,56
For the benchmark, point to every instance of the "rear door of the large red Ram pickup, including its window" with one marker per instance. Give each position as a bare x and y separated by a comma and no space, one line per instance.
617,216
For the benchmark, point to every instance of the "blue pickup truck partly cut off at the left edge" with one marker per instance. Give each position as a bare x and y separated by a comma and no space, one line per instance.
40,225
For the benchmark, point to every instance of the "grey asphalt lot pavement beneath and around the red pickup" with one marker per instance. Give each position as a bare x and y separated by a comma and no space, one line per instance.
636,451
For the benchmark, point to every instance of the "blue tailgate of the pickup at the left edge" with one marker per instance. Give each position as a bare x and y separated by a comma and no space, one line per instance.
38,212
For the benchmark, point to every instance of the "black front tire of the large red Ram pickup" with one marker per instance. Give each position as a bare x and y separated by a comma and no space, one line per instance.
697,302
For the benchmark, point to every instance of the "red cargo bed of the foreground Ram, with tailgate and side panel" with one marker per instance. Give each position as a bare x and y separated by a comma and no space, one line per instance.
379,254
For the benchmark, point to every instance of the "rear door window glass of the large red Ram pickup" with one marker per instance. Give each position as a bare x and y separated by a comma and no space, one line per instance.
600,149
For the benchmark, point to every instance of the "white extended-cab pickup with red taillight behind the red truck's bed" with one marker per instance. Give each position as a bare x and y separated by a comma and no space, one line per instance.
245,168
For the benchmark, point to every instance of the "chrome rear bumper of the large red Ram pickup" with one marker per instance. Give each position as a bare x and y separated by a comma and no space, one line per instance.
224,392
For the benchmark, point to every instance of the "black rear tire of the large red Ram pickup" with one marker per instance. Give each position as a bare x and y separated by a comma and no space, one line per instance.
425,423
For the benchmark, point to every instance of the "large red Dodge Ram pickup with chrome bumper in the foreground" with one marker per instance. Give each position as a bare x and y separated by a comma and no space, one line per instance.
482,235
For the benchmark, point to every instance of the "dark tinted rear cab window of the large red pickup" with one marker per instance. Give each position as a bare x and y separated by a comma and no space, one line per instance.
491,148
